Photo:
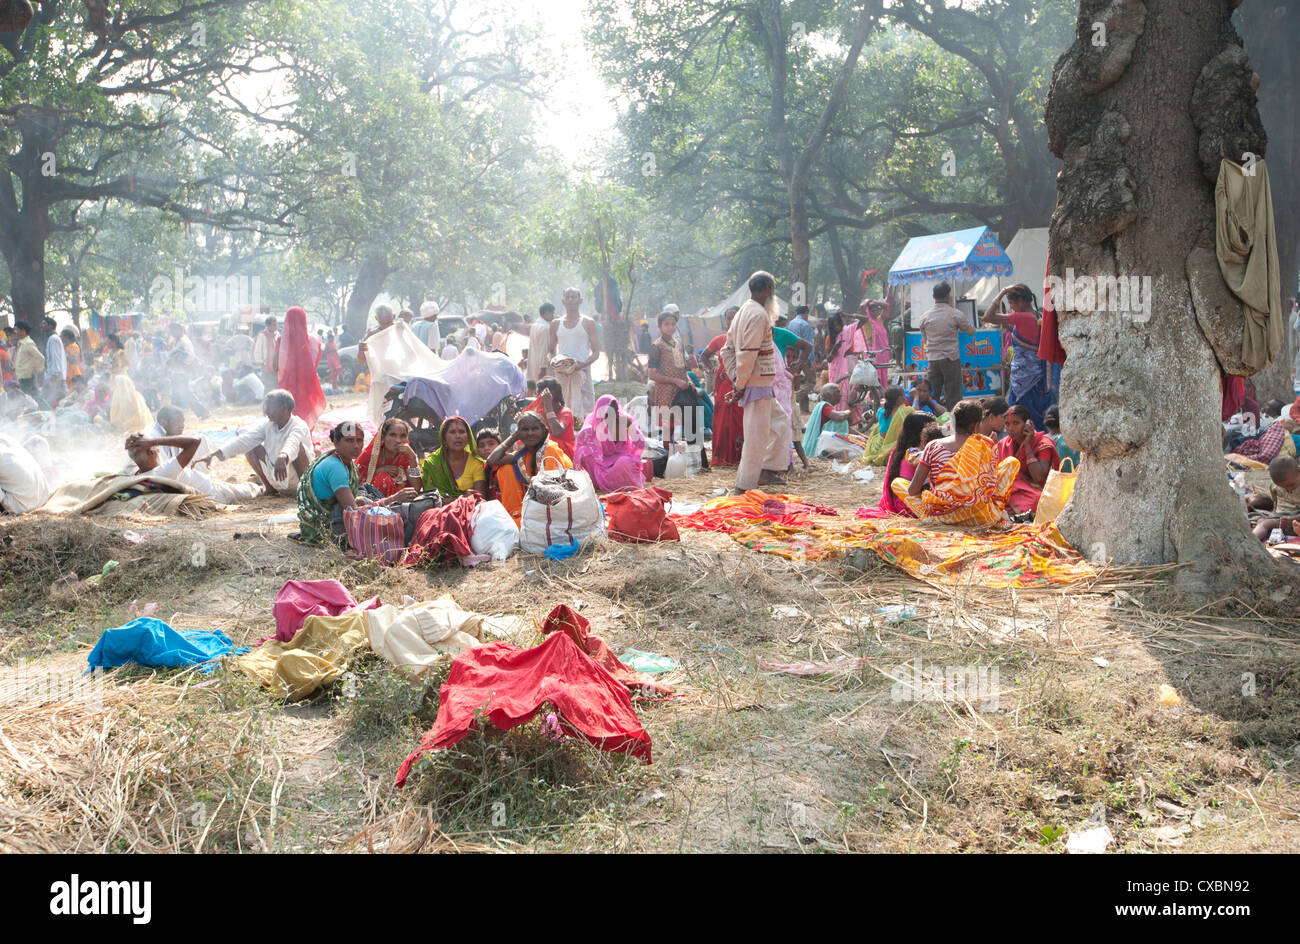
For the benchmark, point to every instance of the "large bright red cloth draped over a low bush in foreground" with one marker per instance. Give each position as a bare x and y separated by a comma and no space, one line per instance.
509,686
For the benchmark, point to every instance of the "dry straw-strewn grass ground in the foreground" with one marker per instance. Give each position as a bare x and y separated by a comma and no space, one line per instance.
743,761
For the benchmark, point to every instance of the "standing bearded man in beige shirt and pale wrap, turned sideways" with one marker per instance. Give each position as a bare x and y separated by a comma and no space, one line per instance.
749,357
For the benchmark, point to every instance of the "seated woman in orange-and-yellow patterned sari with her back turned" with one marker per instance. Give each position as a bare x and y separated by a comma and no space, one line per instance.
968,486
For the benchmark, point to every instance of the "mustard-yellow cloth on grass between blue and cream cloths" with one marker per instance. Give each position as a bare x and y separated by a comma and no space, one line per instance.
318,655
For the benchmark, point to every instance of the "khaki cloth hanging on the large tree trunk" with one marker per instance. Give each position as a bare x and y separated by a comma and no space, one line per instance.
1247,249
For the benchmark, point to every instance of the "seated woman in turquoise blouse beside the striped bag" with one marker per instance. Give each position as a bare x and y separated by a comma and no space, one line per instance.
332,486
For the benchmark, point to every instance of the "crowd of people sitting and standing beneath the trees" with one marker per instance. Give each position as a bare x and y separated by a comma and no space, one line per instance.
765,396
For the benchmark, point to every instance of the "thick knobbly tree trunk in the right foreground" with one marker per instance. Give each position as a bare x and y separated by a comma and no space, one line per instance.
1142,124
